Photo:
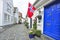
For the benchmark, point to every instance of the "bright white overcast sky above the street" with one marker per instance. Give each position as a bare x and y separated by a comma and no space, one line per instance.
22,5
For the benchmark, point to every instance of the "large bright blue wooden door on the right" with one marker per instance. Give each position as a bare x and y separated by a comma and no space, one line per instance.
52,20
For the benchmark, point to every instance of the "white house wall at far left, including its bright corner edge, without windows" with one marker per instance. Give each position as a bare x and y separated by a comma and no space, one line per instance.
3,10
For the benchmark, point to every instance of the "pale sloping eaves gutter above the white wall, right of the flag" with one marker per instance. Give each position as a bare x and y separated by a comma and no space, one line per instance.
41,3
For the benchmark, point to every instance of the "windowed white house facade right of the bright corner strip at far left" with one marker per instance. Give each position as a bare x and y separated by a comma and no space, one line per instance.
10,2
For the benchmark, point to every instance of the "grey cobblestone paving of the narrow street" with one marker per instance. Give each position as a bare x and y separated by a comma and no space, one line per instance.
17,32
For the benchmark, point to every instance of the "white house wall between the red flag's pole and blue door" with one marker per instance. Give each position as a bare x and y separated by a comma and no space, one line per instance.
39,25
